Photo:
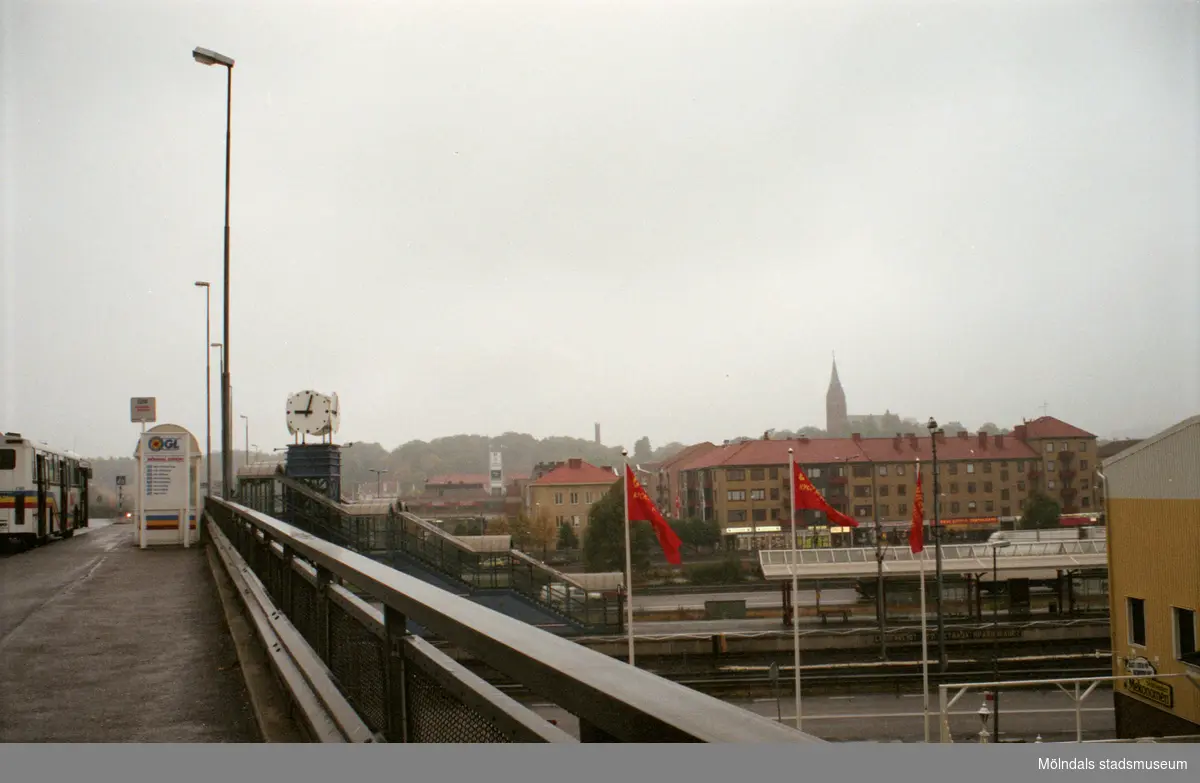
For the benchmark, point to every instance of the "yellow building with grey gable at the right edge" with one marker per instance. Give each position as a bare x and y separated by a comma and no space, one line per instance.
1154,529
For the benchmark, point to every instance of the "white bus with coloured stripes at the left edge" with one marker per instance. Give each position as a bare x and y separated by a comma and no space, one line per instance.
44,492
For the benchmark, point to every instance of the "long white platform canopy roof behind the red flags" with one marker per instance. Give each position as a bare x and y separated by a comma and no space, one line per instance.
957,559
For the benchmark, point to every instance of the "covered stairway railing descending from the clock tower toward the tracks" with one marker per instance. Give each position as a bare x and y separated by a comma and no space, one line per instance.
392,536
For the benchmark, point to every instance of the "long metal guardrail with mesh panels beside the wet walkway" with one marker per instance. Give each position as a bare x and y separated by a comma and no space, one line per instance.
406,690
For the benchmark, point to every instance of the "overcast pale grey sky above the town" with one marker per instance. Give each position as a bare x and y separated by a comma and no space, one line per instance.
663,217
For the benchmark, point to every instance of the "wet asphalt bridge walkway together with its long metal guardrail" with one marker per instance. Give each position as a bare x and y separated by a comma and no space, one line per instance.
269,632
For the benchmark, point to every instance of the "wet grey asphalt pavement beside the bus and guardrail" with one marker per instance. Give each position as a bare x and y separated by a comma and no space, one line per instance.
104,643
